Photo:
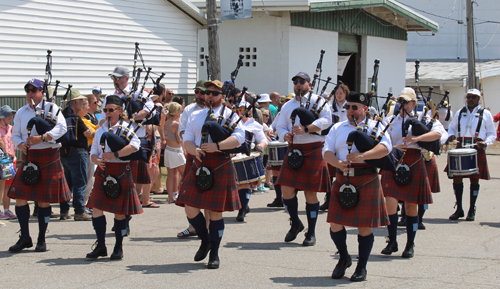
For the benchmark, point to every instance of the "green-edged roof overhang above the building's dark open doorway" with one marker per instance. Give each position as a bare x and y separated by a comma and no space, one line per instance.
388,10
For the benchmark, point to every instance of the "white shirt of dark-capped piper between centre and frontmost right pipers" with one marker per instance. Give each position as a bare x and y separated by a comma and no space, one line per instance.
284,123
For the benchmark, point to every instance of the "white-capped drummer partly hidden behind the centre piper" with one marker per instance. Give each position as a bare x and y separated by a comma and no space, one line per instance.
249,124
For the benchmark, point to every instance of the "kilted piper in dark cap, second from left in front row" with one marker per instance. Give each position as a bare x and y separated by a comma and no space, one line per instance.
127,203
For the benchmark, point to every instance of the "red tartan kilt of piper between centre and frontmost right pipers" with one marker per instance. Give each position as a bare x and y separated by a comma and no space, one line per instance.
313,176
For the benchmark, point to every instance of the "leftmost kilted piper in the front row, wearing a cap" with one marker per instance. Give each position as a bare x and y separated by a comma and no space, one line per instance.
44,153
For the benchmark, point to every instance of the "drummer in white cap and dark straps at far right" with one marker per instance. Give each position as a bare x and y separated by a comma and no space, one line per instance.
473,125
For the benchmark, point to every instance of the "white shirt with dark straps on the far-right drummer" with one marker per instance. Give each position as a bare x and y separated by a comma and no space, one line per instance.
468,124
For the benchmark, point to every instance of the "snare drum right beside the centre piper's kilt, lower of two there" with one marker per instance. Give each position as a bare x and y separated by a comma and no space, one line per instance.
248,168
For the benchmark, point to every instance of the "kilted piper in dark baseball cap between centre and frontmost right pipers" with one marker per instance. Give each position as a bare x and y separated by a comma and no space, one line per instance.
312,176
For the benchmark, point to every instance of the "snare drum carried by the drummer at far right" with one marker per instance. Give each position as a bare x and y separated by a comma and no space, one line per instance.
462,162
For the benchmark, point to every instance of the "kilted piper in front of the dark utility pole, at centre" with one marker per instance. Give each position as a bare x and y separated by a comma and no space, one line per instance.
223,195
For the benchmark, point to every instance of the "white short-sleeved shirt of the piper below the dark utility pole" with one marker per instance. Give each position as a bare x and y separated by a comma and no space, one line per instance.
195,122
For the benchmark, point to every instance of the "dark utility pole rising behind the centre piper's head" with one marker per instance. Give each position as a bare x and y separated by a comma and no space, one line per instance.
213,39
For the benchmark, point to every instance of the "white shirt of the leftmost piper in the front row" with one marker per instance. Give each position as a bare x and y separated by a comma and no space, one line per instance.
23,116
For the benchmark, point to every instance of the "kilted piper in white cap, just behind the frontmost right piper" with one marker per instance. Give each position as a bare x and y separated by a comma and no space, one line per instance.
417,190
